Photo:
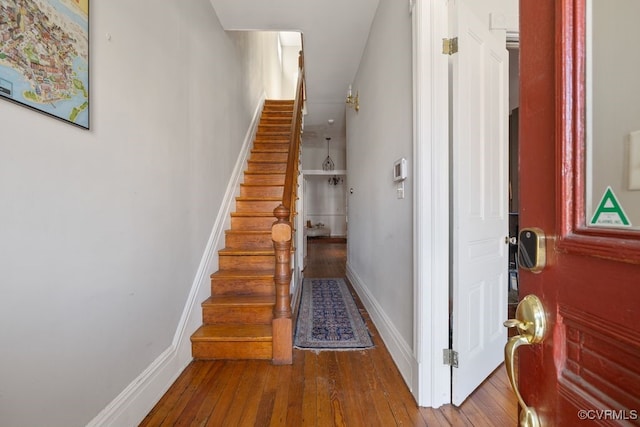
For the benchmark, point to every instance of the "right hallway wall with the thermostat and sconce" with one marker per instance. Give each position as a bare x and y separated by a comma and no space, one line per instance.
380,225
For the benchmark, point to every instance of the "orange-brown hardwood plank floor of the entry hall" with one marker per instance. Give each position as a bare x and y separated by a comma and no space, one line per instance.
341,388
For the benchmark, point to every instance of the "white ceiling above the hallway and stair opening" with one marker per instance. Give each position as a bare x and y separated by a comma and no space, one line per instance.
335,34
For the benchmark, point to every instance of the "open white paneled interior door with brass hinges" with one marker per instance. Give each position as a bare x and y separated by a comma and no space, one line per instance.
480,201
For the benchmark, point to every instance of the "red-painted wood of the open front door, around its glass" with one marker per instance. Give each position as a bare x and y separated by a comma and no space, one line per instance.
587,368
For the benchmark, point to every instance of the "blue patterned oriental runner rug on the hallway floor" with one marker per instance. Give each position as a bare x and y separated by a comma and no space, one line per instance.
328,318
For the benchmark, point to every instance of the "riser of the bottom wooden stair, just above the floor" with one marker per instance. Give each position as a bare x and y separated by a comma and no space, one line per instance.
232,350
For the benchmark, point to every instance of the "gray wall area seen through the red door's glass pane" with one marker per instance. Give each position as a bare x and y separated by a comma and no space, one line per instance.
615,108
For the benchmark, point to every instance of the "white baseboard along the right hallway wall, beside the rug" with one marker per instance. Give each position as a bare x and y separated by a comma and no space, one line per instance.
400,351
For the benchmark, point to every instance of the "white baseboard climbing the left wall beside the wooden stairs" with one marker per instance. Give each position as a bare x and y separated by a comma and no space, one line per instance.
138,398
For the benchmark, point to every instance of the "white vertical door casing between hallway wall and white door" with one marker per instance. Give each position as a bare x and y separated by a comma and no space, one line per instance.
432,385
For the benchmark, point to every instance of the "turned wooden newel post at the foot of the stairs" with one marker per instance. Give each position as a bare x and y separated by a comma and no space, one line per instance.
281,324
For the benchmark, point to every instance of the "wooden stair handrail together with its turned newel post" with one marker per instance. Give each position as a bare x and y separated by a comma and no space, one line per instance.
281,234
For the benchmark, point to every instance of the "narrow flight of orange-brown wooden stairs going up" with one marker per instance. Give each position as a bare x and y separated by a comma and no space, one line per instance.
237,318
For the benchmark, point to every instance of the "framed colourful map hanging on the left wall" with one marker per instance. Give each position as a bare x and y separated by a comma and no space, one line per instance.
44,57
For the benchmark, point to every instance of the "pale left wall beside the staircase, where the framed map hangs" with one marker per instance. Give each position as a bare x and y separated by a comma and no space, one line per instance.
103,230
